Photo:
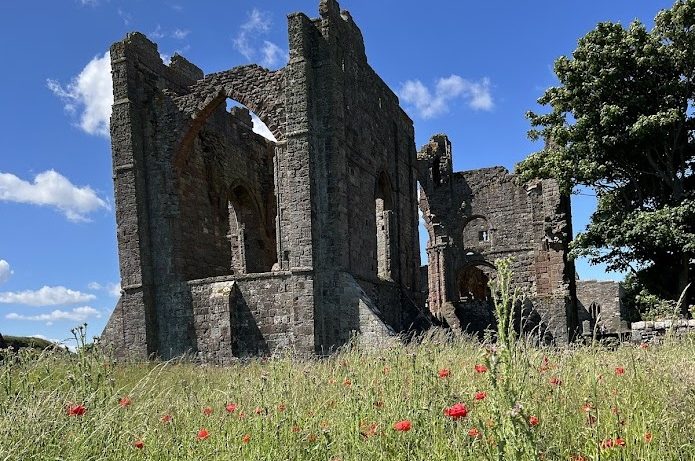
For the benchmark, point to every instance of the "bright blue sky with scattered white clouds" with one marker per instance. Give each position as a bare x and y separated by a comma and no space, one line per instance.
469,69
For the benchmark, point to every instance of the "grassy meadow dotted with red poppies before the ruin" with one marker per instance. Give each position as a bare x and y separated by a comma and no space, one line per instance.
522,403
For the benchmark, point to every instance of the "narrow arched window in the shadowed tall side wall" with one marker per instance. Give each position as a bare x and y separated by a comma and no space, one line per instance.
384,224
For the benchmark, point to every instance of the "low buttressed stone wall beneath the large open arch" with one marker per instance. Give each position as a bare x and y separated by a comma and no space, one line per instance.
251,315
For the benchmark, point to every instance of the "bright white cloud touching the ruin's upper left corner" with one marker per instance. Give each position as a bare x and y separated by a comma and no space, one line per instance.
90,94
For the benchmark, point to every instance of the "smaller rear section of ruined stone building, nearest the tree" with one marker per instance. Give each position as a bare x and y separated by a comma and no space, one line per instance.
476,217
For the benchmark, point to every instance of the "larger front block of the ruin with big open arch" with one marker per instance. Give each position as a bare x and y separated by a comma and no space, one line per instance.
232,245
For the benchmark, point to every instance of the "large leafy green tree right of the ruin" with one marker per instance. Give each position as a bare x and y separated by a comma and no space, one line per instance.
621,122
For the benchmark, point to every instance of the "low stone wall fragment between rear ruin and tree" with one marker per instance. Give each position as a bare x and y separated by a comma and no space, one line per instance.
600,308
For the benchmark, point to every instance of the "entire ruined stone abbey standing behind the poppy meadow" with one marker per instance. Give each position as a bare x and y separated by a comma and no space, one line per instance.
231,245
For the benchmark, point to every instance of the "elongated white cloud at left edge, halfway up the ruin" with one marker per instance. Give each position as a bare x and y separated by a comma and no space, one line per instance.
50,188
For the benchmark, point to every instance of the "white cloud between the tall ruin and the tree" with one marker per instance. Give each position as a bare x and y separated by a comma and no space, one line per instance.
431,104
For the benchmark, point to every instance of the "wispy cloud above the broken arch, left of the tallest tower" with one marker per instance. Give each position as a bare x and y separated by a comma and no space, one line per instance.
246,41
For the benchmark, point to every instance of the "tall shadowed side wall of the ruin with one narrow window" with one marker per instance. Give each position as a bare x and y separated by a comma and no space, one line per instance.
362,156
